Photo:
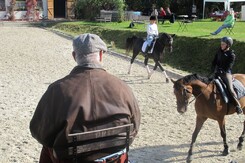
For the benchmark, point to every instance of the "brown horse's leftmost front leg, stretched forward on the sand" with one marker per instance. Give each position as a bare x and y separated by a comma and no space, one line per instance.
199,124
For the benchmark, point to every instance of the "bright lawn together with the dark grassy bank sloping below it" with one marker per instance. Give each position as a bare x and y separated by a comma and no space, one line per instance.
193,51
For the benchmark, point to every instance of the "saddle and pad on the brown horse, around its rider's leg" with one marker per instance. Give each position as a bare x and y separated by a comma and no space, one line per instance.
237,85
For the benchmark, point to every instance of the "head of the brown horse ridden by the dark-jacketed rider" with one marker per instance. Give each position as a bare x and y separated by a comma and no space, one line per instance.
183,93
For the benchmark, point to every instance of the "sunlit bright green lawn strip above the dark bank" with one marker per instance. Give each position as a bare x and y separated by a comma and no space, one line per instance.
199,28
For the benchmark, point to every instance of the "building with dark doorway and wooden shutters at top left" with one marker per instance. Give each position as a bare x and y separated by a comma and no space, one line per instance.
45,9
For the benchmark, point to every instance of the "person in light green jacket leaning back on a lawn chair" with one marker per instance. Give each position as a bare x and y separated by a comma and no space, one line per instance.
228,23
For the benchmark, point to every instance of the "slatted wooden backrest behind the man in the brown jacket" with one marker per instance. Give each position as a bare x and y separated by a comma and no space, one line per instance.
96,140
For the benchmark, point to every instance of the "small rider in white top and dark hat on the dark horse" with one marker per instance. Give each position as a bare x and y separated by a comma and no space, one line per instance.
152,32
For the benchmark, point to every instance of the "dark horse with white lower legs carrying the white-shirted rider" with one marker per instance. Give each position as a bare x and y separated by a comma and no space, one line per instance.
163,41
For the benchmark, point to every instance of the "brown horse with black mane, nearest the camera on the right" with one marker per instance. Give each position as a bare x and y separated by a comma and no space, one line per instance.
208,104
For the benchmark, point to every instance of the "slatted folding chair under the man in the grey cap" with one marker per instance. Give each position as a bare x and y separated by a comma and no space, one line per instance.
97,140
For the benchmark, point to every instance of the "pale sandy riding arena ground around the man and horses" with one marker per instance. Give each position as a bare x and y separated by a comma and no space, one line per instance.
32,58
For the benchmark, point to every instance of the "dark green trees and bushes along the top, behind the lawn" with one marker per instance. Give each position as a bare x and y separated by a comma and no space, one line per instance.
88,9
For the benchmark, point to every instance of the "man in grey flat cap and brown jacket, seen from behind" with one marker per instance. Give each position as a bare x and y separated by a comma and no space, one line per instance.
87,99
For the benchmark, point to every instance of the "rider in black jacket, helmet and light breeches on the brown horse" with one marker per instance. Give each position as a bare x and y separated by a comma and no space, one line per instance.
222,66
